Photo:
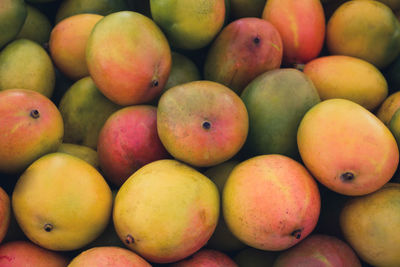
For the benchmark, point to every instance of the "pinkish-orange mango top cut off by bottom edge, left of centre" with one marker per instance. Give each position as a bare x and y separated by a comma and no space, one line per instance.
108,256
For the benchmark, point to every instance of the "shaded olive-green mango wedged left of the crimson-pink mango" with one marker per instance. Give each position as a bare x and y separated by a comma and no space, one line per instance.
84,110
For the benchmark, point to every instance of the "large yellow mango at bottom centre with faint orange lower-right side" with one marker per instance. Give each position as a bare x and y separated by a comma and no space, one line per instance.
170,199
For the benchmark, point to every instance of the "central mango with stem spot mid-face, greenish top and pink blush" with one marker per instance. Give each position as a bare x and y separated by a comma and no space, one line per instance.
202,123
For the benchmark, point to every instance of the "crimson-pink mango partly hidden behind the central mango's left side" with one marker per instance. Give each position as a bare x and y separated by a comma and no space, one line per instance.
128,141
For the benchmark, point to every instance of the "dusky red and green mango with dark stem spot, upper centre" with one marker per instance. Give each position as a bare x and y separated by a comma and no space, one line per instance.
230,59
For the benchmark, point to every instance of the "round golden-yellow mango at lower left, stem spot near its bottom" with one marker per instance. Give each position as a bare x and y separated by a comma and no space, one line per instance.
61,202
